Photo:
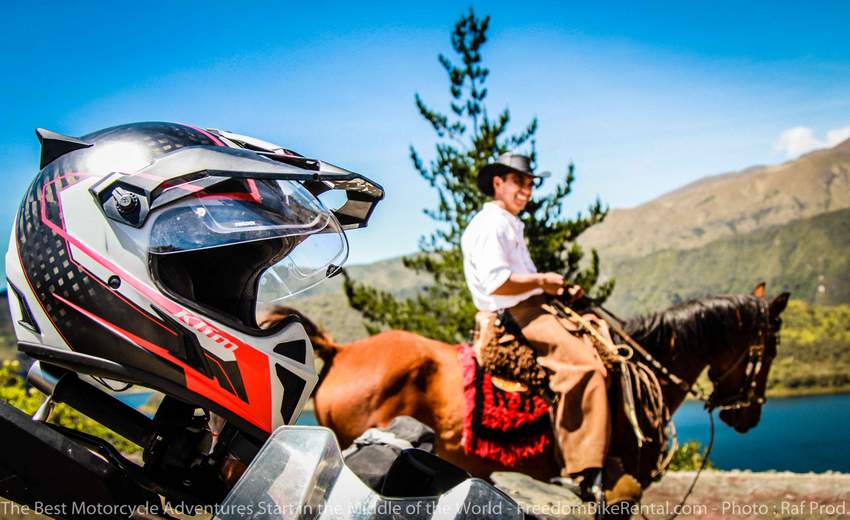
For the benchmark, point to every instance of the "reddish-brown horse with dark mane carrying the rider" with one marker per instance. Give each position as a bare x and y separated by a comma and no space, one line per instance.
368,382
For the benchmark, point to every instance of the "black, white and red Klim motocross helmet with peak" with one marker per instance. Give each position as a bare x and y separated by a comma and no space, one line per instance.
145,253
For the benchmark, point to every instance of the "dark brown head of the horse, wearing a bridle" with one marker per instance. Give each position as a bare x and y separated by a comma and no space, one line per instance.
739,372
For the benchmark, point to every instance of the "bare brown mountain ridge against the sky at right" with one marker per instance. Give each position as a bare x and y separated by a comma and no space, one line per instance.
727,205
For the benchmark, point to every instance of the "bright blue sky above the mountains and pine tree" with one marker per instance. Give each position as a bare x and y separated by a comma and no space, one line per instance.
643,97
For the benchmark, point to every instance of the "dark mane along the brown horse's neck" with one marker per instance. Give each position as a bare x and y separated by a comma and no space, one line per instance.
695,325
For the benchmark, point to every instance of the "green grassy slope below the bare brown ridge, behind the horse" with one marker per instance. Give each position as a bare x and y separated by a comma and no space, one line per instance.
807,257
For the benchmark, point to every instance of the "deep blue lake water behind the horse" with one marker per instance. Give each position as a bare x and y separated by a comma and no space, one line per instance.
795,434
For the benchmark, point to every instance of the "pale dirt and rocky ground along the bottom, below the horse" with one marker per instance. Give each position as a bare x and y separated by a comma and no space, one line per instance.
718,494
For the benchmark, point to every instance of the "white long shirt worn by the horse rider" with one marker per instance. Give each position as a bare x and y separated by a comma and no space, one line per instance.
493,247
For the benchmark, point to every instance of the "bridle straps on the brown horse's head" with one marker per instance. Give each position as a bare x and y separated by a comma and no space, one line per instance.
756,358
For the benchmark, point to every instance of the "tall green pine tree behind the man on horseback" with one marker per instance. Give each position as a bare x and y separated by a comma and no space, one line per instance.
469,138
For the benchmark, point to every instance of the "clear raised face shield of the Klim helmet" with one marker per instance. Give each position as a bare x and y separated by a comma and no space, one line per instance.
240,211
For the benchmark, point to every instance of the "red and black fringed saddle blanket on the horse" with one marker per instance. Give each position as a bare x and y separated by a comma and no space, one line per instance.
498,425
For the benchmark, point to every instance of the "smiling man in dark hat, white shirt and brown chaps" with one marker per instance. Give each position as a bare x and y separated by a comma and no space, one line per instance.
502,277
